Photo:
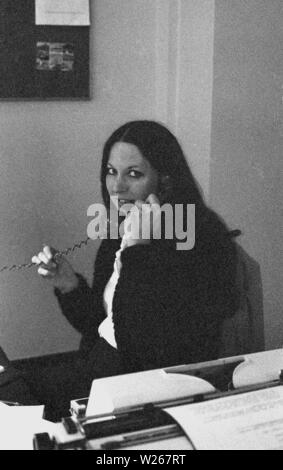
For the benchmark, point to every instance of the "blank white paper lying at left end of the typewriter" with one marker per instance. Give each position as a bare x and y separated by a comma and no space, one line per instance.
18,424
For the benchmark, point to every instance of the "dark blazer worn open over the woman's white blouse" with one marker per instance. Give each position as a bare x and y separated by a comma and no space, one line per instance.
168,306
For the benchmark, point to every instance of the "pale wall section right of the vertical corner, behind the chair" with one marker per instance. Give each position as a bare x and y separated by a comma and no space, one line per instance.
247,138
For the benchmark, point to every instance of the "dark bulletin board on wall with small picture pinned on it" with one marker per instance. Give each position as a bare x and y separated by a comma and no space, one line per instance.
41,62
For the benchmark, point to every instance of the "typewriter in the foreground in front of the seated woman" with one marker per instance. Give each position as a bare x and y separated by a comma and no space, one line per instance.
129,411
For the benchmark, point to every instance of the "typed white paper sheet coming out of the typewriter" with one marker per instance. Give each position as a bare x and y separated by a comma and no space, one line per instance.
250,421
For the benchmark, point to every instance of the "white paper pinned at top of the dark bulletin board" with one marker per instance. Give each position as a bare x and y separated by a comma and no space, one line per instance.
62,12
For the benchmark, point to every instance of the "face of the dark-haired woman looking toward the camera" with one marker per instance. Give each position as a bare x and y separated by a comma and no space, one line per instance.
130,177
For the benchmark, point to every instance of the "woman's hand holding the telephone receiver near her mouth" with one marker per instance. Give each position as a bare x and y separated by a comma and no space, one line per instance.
143,222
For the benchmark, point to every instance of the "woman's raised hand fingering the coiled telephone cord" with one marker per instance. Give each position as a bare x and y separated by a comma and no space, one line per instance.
60,272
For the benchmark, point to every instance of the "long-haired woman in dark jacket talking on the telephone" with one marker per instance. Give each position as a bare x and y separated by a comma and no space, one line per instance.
151,305
